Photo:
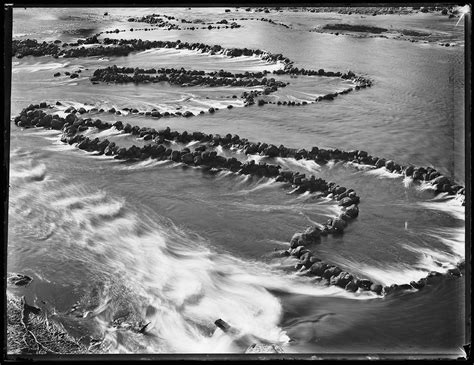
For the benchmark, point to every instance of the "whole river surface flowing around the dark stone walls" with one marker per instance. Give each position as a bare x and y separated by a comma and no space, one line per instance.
180,248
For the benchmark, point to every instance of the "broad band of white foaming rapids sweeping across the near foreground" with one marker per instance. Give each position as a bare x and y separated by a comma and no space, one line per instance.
179,284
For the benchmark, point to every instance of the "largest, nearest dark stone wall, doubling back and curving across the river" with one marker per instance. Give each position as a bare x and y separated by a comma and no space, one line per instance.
72,125
